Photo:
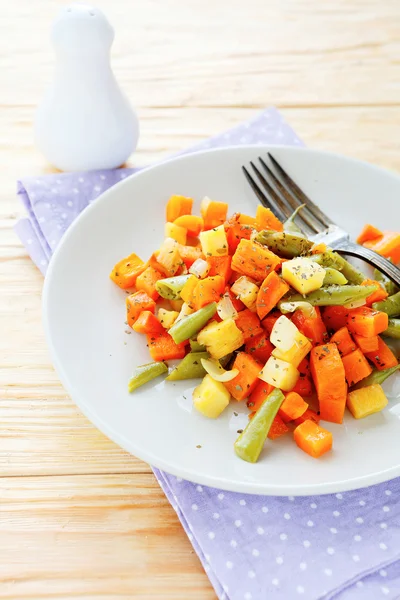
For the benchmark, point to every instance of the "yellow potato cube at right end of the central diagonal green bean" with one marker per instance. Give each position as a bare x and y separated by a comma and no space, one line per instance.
222,338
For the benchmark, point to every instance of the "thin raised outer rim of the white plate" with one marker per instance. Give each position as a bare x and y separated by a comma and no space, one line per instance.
128,445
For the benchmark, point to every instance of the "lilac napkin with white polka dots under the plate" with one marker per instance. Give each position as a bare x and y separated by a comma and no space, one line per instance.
340,546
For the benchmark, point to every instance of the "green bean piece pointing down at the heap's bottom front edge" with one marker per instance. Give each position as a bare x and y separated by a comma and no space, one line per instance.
250,442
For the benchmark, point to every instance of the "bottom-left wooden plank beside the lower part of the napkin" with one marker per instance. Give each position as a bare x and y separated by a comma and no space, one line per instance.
93,537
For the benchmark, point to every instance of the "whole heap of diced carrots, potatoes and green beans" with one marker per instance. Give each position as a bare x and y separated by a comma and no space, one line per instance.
263,315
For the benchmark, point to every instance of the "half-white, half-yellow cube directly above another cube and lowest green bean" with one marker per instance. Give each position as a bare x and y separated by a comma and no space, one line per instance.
291,345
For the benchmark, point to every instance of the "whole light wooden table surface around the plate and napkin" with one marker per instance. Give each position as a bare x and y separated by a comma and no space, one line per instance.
79,517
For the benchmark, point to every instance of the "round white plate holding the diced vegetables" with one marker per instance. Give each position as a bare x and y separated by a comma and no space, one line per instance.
84,314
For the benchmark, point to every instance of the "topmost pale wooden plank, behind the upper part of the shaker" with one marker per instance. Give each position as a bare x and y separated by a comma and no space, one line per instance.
175,54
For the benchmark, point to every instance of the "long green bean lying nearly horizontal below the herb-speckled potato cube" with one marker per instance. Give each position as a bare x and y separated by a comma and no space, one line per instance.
334,295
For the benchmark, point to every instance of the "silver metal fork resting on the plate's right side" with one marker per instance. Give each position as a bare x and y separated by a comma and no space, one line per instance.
282,195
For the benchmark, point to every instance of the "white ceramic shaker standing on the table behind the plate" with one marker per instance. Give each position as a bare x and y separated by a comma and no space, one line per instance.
84,121
